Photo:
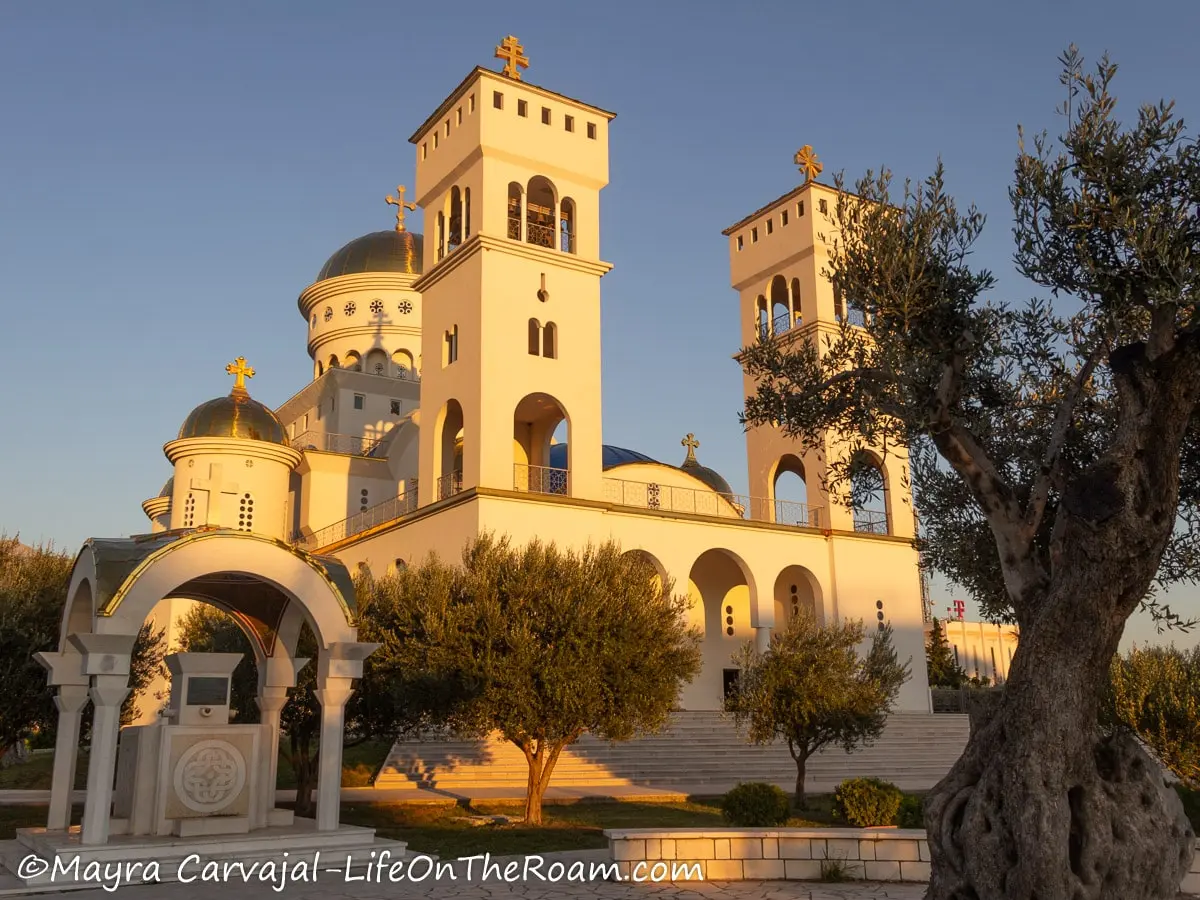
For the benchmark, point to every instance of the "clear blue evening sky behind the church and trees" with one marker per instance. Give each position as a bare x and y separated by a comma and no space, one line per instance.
176,175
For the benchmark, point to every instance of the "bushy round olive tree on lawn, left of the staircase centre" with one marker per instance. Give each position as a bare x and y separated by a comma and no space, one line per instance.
538,644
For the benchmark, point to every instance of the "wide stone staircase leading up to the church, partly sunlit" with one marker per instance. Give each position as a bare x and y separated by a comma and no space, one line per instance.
700,753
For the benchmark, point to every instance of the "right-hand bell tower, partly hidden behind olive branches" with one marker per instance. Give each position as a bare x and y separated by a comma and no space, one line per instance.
778,256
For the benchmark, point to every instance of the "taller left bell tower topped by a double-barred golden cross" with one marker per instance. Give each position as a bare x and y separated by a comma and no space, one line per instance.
509,177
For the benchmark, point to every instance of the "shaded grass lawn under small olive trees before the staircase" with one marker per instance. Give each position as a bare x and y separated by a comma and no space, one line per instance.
448,832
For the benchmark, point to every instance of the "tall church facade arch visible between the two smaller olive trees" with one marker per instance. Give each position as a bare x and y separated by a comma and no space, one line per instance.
722,590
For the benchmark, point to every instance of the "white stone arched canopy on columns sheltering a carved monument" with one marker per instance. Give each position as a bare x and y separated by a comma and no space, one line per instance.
272,590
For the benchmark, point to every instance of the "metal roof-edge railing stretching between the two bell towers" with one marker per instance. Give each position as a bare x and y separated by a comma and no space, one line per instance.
706,503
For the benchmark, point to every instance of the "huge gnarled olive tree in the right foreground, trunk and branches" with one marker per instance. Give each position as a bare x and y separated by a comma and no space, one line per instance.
1055,458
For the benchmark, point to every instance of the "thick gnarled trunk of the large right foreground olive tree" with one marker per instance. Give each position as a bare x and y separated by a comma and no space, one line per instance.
1043,806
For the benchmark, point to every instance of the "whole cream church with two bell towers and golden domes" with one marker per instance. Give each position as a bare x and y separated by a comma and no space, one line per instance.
457,391
